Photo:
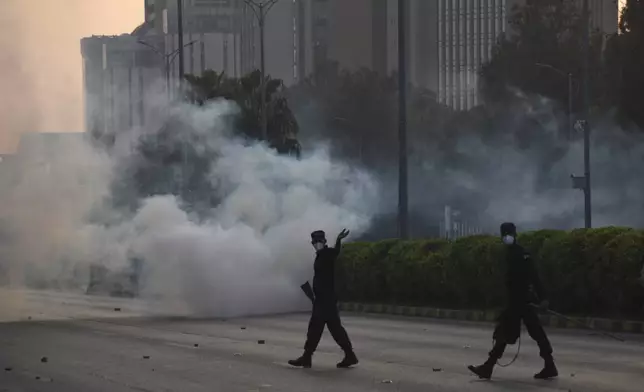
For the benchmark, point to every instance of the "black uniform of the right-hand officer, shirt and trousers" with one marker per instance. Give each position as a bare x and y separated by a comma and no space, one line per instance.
523,288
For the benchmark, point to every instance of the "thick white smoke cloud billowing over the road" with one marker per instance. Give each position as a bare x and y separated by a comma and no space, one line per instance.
248,254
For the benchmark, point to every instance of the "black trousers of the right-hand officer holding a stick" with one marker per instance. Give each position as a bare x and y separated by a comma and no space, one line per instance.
508,331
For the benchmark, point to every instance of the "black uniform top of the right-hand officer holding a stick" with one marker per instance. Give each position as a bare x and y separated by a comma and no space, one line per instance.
522,280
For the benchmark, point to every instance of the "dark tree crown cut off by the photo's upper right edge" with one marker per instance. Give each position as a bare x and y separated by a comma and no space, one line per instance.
624,65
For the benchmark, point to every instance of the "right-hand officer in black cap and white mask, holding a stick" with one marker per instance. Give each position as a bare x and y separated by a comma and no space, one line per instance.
523,284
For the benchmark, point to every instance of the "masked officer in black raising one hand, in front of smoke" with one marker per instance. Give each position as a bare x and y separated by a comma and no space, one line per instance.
325,303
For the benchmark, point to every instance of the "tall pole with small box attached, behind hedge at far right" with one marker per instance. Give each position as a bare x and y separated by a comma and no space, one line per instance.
586,115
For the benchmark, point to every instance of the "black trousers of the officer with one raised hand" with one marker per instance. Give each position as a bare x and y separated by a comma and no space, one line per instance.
326,313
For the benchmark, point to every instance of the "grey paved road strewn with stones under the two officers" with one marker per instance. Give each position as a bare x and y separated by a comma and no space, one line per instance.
94,348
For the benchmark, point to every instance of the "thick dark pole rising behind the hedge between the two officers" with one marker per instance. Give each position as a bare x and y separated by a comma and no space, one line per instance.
403,226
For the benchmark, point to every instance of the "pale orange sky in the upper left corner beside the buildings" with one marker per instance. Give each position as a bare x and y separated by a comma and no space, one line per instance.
41,75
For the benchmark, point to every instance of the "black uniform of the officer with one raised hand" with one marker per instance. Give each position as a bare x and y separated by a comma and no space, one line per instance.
325,304
